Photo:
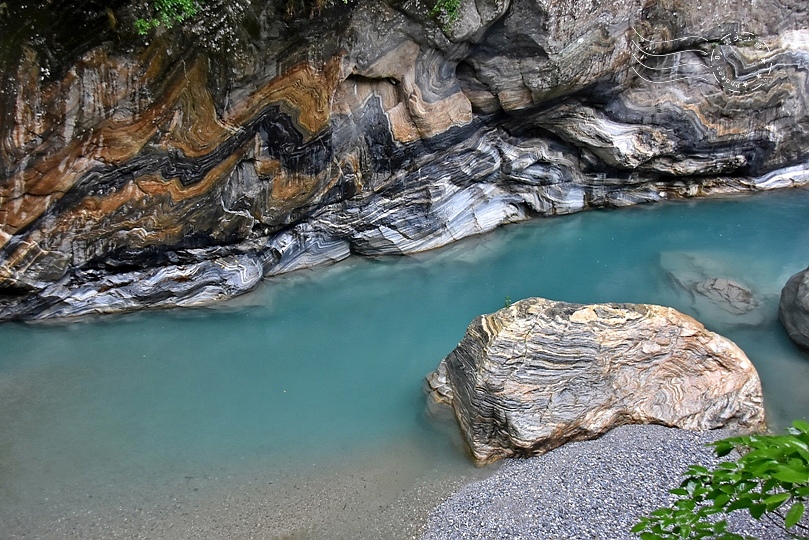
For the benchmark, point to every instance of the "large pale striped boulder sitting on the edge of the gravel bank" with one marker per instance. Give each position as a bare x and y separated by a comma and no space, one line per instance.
530,377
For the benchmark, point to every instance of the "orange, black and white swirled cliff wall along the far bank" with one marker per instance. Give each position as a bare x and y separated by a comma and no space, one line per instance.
250,144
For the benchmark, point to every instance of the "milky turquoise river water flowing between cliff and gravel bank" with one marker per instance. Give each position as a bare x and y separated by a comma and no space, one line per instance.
297,411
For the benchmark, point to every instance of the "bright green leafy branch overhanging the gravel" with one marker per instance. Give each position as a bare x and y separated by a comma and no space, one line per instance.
770,480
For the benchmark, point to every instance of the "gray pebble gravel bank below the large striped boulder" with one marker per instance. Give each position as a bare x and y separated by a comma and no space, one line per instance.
591,489
